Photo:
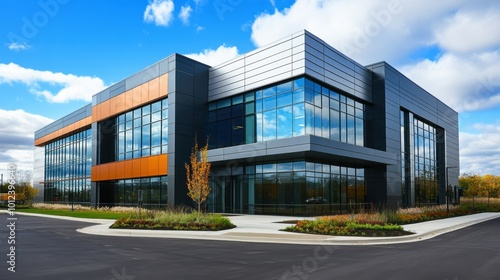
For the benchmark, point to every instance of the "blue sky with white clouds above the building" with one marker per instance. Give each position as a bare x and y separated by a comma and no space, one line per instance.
55,54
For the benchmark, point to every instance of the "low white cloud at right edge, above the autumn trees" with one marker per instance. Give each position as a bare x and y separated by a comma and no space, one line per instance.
480,153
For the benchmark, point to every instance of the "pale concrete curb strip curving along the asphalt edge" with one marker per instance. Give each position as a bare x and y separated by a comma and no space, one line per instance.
278,237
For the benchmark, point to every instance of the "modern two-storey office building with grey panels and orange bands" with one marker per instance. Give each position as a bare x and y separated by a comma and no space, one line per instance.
295,127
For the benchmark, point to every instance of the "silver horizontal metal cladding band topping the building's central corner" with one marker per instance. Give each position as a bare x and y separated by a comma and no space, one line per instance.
298,54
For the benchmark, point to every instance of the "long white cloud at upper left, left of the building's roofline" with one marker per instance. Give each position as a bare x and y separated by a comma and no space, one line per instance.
71,87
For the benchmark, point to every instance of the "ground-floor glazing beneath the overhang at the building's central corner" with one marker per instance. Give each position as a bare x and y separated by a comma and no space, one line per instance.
289,188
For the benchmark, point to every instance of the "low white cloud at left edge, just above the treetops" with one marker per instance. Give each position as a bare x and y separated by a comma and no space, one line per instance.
17,129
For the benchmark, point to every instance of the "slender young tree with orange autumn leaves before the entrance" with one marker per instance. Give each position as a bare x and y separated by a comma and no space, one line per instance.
197,173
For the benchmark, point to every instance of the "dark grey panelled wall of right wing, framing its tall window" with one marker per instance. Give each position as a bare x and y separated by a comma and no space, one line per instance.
393,91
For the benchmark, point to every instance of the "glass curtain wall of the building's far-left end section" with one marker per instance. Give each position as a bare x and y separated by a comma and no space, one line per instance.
67,169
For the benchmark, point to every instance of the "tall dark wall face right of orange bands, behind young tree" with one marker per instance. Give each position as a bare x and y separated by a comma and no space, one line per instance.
187,99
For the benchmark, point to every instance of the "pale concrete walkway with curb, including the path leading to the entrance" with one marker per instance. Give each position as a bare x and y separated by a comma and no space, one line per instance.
266,229
